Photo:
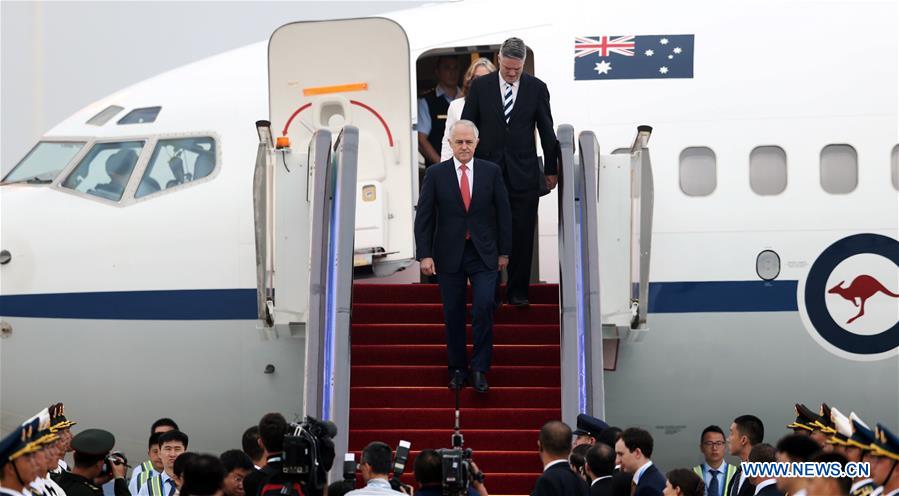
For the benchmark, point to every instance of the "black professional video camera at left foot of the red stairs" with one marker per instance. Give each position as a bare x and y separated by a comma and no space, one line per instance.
309,454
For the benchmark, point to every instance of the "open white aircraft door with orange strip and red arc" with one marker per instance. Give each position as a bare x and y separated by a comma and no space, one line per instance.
330,74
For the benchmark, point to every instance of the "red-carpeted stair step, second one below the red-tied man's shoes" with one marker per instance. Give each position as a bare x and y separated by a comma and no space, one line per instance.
439,418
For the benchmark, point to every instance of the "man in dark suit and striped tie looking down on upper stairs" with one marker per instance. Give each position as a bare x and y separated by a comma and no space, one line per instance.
507,106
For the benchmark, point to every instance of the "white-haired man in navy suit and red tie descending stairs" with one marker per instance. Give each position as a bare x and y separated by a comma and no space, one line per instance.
462,228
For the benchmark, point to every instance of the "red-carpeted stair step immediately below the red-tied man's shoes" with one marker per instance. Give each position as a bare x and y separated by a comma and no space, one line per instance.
423,397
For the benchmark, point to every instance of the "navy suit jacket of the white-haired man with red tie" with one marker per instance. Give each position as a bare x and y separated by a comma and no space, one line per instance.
441,220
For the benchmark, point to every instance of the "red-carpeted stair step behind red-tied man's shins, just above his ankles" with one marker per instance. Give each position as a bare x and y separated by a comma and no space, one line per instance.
429,354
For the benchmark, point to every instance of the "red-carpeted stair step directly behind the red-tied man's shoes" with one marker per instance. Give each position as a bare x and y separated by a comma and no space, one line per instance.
435,375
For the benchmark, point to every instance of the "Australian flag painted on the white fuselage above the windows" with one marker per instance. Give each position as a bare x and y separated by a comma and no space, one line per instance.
633,57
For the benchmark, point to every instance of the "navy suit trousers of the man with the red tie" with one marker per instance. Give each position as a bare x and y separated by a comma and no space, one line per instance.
453,293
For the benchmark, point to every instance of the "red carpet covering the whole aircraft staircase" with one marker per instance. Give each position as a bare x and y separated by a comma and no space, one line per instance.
399,376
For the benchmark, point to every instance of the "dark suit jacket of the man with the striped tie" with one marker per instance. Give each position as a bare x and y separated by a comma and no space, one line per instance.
513,146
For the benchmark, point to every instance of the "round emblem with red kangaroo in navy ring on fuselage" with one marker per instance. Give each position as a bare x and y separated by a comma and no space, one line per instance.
849,301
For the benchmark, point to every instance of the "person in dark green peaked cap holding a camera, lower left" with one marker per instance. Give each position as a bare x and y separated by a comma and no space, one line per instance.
93,466
